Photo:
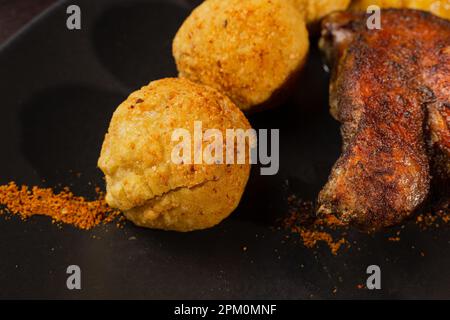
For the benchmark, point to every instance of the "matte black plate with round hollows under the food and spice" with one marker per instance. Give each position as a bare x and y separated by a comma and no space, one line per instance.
58,91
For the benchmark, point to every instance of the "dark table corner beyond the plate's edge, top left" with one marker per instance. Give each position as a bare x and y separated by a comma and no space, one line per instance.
14,14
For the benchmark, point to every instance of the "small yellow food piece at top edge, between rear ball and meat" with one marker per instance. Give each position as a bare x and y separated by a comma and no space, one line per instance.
315,10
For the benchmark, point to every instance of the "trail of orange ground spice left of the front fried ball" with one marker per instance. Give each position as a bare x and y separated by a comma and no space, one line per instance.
62,207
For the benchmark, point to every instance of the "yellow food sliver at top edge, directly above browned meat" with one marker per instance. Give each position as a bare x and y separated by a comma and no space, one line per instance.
440,8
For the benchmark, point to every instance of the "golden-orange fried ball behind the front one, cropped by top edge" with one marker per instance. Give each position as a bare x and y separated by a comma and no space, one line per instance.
250,50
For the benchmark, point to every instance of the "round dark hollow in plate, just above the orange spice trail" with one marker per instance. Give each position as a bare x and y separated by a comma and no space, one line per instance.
62,133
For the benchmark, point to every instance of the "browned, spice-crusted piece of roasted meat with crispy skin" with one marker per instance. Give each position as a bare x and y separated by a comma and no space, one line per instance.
390,89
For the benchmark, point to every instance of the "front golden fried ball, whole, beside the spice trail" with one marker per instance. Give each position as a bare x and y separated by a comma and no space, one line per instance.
141,177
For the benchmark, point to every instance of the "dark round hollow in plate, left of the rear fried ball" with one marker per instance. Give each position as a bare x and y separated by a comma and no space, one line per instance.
134,41
